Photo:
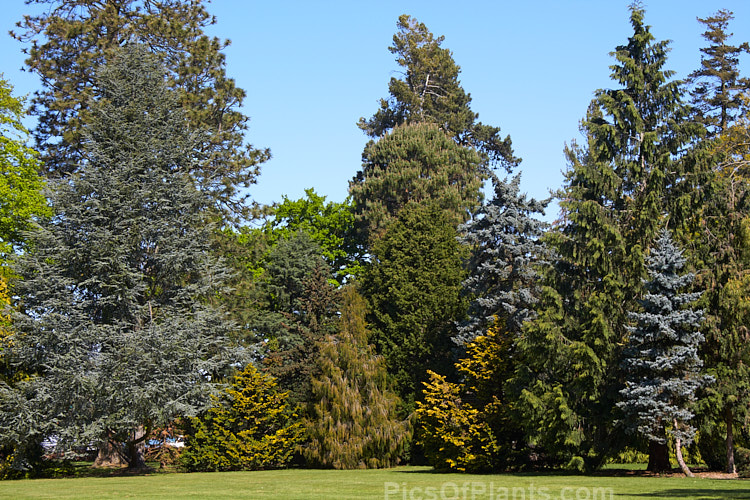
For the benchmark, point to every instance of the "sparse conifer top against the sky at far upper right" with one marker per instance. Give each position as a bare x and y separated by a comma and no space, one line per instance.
717,85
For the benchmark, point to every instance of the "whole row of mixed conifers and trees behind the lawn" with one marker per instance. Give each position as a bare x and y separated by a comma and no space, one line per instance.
147,298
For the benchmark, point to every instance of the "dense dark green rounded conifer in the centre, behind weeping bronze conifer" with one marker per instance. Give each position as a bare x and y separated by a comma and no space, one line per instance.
413,287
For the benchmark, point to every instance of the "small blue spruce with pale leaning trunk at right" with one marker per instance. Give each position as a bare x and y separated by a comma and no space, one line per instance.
661,360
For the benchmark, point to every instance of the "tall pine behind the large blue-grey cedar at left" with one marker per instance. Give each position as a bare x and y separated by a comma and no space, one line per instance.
70,39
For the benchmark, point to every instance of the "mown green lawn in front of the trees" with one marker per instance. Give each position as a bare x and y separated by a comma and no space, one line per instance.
412,483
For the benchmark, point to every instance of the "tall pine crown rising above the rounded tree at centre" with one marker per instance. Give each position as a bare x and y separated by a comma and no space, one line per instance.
430,92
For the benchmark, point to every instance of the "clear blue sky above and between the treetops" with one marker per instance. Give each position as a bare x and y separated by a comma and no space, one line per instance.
311,69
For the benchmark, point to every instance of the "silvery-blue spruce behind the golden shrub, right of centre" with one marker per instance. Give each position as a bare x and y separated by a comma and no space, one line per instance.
505,243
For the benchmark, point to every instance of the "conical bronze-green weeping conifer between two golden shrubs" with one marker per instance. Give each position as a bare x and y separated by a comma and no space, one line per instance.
352,422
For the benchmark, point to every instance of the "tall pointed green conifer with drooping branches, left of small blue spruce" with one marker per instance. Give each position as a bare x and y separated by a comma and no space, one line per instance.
634,169
